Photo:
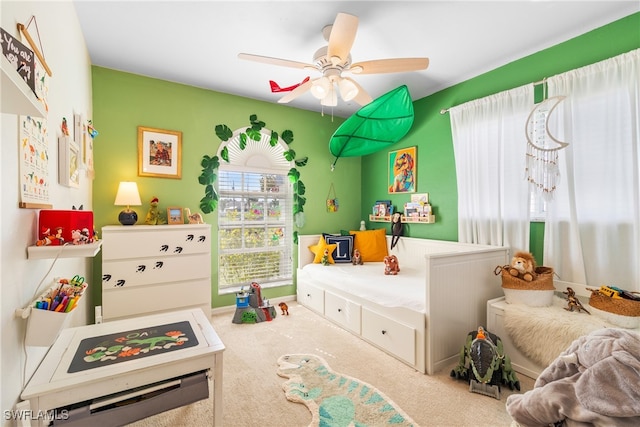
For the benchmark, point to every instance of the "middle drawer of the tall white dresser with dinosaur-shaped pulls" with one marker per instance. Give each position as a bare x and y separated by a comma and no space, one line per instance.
143,271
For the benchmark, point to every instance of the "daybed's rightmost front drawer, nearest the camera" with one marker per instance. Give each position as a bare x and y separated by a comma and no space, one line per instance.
394,337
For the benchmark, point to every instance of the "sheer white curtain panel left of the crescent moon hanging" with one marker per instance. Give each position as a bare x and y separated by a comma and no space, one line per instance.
489,145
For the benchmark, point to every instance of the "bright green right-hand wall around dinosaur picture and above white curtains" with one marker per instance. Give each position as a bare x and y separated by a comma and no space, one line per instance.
431,132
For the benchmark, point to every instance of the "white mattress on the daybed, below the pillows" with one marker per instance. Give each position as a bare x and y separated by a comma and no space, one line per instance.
368,281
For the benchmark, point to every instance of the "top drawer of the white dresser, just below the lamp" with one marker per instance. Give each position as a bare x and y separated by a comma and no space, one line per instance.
141,241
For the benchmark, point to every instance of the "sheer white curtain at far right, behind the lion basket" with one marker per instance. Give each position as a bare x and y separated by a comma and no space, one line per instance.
592,232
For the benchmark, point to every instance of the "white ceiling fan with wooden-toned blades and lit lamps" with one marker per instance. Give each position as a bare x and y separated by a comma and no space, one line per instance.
334,59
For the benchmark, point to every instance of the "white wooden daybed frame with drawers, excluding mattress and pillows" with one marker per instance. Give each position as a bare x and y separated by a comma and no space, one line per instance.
459,281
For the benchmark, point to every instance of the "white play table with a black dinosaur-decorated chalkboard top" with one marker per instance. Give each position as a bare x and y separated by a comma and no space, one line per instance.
73,374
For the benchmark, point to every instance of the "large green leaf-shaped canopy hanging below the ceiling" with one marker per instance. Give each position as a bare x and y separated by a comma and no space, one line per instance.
382,122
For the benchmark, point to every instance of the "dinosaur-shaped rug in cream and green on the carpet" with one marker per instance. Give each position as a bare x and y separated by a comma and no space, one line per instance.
335,399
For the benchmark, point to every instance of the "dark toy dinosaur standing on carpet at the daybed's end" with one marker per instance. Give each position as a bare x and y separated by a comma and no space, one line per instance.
483,363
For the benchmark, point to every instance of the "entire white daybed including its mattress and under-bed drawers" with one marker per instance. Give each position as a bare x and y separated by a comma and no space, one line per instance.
420,316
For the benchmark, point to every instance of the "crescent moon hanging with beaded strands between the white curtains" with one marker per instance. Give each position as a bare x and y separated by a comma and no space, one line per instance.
542,148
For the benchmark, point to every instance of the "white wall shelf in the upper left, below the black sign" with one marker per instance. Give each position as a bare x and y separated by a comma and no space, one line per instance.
17,96
